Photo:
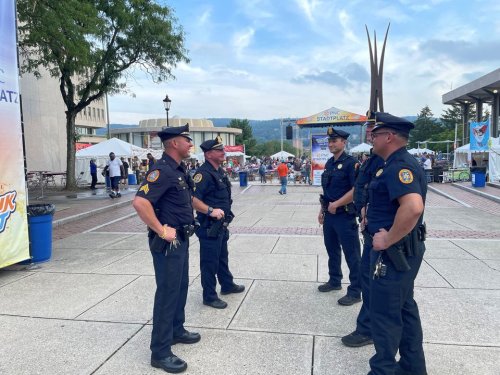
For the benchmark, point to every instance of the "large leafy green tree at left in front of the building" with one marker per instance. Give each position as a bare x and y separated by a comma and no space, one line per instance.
91,46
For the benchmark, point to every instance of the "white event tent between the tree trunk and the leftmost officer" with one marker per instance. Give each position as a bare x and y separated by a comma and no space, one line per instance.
100,152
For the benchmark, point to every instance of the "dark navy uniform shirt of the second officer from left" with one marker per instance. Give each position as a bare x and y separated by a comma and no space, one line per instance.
212,187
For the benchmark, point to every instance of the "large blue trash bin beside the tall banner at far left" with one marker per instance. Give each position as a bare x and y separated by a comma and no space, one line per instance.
40,231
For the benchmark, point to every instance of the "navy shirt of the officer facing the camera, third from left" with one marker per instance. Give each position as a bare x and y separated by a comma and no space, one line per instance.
339,176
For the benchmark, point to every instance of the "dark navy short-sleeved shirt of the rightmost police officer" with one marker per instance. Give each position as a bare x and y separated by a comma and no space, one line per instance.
400,175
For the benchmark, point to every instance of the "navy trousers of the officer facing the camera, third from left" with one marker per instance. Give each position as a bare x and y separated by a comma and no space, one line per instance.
340,231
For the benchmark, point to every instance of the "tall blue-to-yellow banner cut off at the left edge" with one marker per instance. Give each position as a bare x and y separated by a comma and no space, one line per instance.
14,242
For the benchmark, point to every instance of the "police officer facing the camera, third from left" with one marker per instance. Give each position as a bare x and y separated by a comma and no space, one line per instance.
338,217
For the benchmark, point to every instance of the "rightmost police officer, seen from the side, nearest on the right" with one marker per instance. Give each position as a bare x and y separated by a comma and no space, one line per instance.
395,212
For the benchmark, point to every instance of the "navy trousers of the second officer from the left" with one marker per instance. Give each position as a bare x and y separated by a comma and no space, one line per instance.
214,261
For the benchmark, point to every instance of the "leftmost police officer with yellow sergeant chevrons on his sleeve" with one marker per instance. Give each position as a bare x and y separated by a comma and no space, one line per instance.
164,204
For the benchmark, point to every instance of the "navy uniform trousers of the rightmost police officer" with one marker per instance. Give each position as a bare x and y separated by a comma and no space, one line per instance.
394,317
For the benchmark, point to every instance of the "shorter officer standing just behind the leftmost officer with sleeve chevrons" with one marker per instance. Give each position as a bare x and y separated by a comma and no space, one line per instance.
212,201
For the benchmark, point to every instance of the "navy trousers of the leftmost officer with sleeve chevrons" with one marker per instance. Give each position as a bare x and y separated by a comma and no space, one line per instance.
171,274
